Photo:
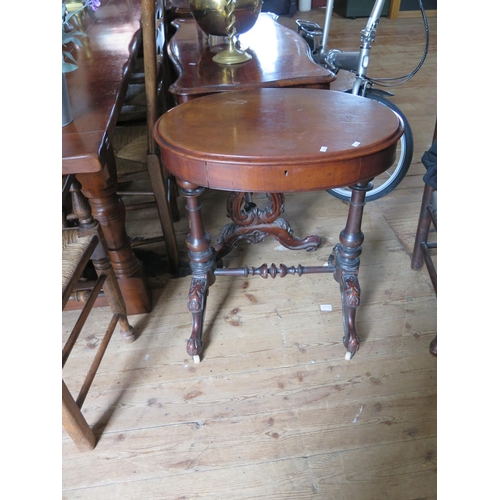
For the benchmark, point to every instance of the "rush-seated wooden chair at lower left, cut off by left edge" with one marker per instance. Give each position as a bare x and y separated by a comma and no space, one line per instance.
80,245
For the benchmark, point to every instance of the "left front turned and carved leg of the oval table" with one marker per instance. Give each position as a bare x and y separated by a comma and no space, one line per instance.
202,263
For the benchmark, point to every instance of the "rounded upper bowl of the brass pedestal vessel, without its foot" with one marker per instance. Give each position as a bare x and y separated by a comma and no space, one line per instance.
211,15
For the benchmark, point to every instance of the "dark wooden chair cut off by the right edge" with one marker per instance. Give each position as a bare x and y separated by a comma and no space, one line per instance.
427,223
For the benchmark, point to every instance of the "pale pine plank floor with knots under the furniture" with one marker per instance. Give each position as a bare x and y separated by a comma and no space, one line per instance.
273,410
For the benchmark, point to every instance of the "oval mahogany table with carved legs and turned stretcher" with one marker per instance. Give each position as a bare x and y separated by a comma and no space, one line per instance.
275,141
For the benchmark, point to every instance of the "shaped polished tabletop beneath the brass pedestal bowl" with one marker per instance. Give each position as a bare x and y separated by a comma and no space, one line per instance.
280,58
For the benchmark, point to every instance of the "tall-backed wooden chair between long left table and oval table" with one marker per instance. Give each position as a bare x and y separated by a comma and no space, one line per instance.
132,140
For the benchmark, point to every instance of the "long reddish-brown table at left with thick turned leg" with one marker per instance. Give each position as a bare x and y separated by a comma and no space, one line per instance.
97,90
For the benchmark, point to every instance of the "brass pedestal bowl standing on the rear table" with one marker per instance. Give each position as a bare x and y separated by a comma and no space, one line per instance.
227,18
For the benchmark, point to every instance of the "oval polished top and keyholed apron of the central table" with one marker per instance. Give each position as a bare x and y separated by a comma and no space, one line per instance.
278,140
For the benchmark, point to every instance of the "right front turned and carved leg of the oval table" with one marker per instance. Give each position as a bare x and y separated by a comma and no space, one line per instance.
346,255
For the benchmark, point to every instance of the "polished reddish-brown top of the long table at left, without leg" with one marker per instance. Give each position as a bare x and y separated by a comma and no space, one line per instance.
97,88
